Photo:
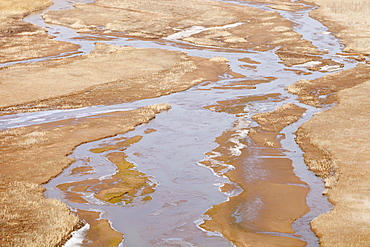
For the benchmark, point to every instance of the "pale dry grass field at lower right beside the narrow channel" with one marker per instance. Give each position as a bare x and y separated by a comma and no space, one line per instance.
342,135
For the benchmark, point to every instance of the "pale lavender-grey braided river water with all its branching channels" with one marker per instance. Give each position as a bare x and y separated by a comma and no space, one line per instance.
185,135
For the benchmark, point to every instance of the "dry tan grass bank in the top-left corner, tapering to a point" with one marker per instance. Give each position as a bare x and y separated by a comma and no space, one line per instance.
20,40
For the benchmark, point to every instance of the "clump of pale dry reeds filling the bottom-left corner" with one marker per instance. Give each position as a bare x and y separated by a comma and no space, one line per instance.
28,219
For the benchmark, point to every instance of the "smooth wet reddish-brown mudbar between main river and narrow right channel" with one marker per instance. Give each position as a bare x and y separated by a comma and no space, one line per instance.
262,206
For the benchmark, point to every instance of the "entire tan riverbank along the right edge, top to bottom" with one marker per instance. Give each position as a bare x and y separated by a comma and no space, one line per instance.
336,141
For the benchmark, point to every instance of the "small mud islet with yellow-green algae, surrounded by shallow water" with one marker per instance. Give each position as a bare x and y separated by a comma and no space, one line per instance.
127,184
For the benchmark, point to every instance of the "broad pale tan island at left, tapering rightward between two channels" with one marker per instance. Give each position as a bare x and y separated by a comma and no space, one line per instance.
108,75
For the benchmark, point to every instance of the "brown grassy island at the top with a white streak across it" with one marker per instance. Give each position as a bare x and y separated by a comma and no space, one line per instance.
214,24
